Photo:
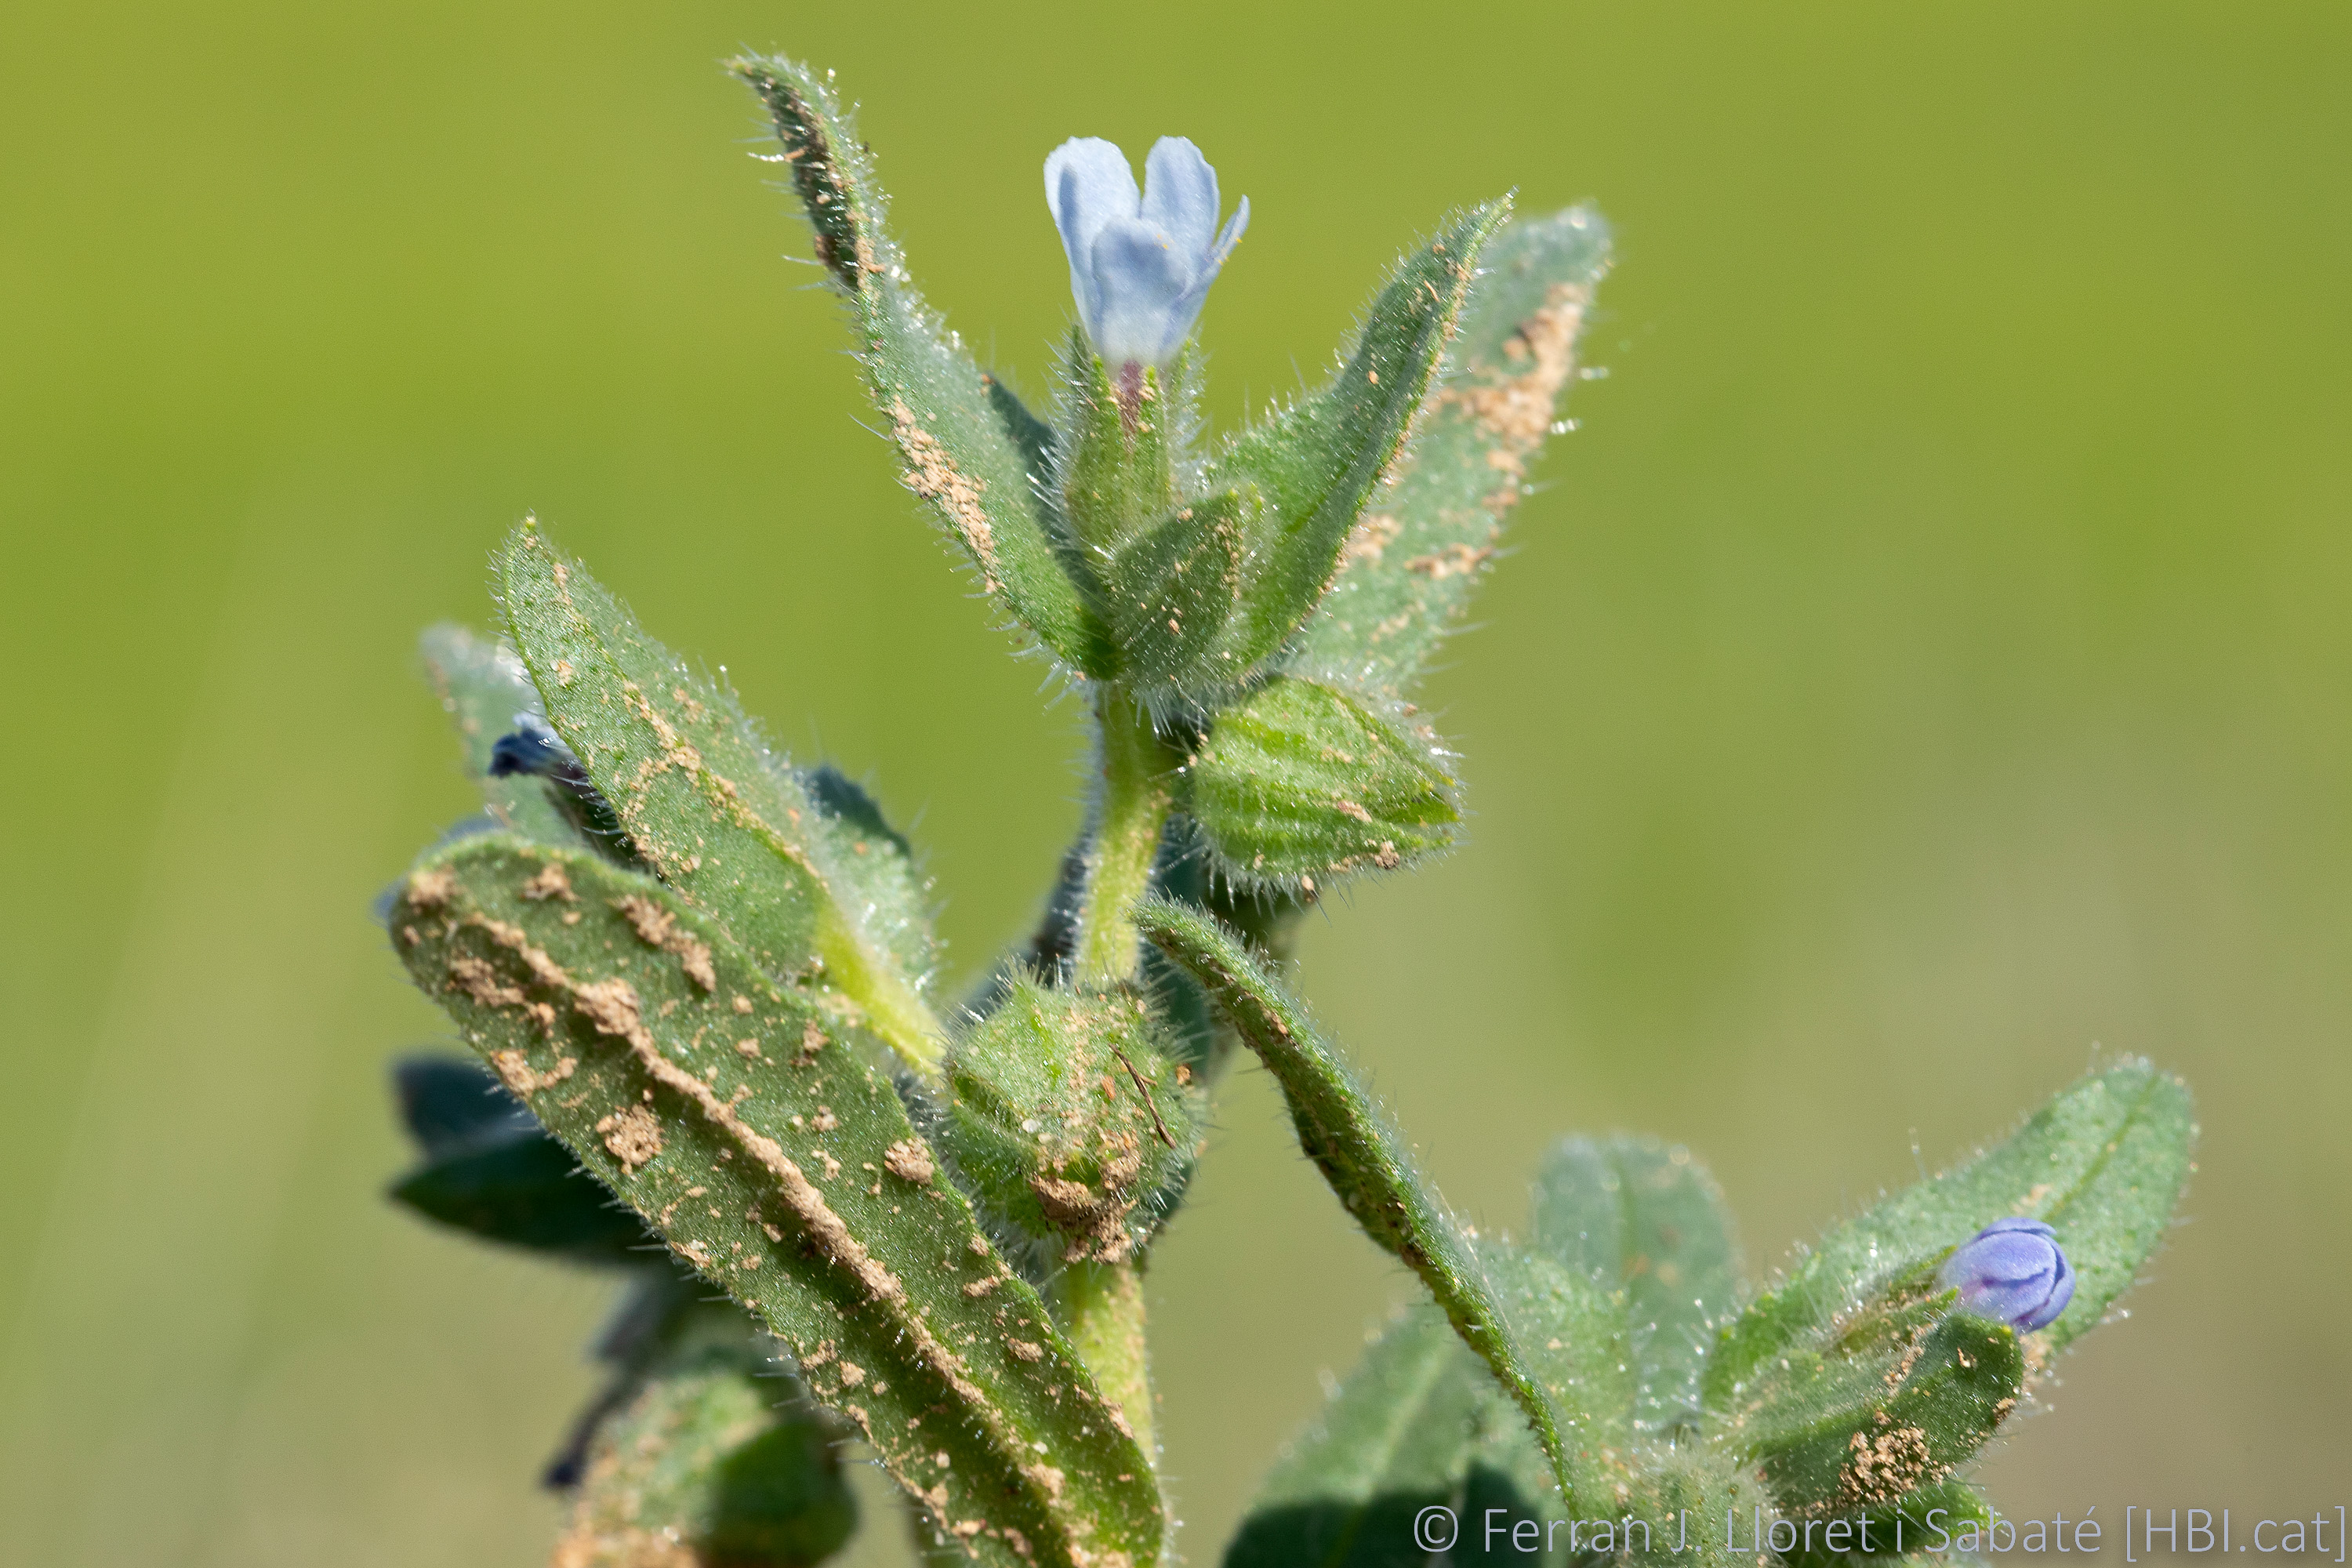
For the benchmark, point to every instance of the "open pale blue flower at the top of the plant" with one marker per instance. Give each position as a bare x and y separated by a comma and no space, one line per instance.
1140,262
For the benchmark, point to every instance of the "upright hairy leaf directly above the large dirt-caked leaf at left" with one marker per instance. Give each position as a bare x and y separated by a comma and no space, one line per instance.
723,822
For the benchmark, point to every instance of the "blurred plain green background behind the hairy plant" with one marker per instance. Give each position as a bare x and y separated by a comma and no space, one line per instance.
1923,674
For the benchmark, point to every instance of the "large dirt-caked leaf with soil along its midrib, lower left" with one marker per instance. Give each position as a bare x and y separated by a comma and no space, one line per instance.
747,1125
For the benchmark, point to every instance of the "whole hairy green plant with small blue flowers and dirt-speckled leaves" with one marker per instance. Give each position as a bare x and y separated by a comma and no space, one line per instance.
857,1217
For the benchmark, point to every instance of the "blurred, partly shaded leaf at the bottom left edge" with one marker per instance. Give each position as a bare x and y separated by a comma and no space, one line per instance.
702,1463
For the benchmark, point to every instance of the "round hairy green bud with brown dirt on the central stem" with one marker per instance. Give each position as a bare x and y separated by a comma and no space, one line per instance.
1069,1120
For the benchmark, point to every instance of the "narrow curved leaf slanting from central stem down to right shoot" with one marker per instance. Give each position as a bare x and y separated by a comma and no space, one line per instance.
1546,1334
